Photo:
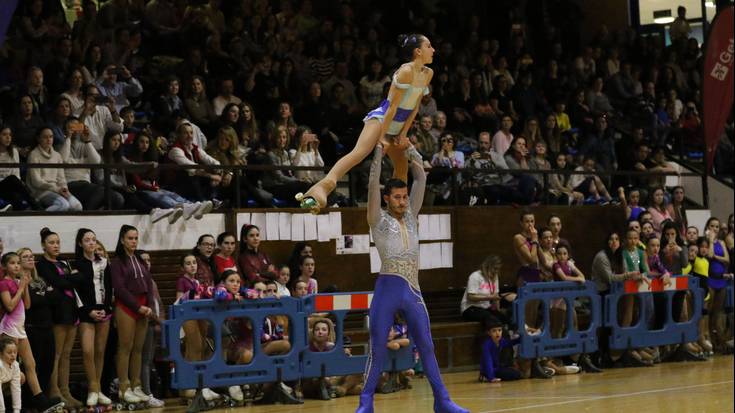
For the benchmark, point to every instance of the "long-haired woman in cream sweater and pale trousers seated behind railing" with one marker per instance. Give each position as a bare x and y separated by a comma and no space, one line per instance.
49,186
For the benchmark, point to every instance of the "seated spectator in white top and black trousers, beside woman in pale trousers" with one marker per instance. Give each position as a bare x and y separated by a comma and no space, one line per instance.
77,148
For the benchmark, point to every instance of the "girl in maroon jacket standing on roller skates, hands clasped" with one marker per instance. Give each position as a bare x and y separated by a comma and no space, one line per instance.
133,288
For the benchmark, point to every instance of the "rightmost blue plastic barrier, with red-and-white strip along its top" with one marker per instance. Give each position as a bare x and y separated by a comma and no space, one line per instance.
639,335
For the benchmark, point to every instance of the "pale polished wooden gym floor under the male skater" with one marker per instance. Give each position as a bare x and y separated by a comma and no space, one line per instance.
670,387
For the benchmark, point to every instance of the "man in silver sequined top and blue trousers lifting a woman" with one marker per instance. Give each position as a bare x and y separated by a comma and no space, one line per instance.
396,234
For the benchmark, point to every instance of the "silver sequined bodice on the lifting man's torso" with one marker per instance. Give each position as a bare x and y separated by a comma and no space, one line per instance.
398,246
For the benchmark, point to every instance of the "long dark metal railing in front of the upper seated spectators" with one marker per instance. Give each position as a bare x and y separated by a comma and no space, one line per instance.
239,170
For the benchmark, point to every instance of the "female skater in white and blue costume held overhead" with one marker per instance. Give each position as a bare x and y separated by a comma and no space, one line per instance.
388,123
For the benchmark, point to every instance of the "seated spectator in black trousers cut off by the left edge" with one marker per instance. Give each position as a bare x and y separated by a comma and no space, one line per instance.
12,189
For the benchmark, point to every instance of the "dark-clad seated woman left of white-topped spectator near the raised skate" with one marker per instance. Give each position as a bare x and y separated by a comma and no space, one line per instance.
283,184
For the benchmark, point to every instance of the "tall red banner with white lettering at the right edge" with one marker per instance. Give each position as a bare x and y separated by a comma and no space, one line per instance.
718,80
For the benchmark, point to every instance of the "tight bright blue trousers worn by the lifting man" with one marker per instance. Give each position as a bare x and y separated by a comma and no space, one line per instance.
393,293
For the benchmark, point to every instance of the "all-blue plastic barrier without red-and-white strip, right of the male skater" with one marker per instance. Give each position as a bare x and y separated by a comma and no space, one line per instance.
575,341
